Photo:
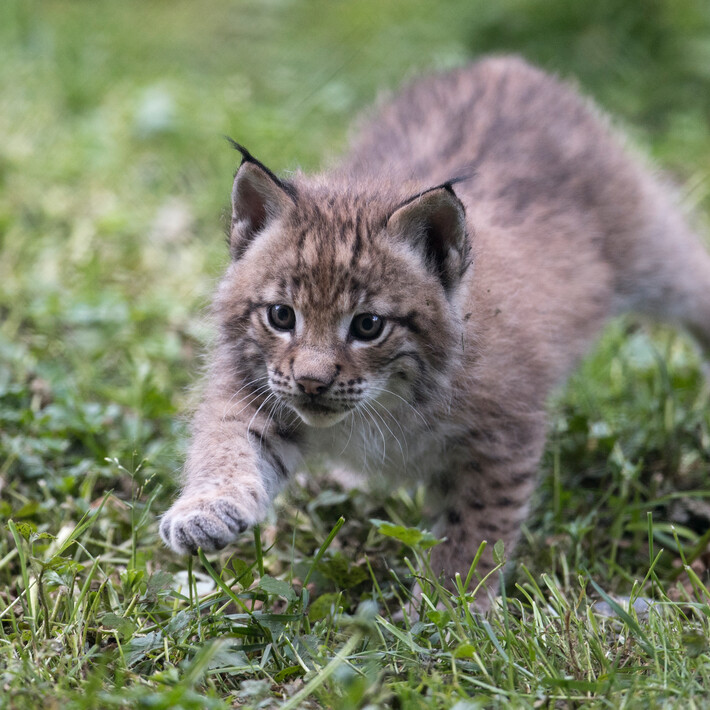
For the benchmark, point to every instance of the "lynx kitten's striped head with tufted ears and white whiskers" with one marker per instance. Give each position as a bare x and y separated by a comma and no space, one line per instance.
341,298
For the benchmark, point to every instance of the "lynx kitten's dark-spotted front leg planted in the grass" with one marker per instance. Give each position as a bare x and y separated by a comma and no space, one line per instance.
486,496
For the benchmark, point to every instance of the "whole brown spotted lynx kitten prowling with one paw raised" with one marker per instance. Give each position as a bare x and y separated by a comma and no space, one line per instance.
409,311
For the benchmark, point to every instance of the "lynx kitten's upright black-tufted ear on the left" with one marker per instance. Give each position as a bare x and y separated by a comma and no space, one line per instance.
258,197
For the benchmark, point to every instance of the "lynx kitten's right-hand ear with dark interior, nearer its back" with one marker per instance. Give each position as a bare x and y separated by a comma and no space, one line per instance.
434,222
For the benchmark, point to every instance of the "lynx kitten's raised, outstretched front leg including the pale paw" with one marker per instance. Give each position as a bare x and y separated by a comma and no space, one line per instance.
235,466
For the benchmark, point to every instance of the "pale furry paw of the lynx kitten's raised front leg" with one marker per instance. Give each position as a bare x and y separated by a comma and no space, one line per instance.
210,524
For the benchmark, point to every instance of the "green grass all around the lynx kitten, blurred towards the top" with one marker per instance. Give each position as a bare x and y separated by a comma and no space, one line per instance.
113,180
